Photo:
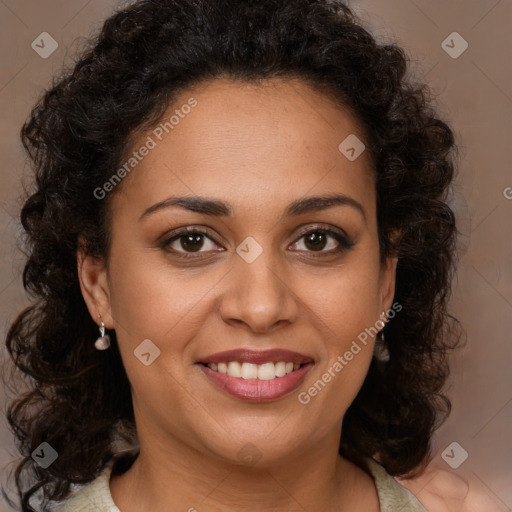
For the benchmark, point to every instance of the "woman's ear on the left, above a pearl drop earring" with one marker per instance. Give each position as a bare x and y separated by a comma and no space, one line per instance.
93,277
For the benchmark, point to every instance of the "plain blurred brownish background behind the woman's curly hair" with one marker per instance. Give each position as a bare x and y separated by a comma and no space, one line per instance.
473,92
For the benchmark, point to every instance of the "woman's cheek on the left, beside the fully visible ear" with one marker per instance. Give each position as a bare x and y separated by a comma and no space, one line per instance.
151,302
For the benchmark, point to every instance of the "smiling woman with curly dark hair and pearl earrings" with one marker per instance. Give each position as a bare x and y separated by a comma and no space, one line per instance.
241,255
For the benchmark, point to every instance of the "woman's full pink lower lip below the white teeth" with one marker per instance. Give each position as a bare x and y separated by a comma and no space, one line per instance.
254,390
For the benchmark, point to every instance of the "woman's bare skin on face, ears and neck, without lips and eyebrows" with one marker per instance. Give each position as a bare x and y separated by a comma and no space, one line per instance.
258,148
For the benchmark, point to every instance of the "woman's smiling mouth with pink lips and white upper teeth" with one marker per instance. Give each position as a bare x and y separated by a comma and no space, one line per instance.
256,376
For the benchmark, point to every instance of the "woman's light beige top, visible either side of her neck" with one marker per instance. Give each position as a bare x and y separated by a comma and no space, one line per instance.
96,495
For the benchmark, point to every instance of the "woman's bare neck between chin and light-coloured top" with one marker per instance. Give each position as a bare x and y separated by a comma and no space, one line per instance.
172,473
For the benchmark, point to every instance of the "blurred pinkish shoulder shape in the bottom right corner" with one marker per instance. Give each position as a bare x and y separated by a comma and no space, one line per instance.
444,491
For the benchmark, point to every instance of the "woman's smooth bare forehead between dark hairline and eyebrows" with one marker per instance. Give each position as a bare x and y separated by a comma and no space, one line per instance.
272,139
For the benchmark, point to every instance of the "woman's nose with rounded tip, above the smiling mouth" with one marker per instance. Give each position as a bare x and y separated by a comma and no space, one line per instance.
259,296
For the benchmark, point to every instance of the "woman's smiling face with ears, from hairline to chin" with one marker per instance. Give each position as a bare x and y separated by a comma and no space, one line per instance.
263,274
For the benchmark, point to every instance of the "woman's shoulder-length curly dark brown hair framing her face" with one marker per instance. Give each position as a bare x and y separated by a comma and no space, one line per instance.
79,399
